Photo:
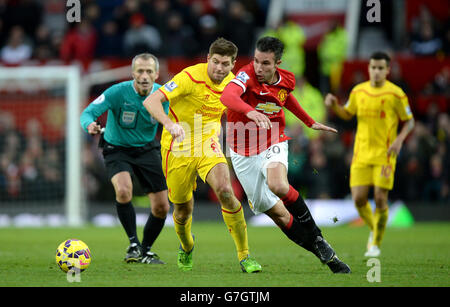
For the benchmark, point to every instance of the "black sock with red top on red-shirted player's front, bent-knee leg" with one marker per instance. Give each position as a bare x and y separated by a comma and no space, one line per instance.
295,204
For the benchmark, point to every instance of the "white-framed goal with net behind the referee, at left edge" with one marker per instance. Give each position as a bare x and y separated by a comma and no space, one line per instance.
40,146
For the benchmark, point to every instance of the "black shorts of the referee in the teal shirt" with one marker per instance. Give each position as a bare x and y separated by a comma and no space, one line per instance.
144,162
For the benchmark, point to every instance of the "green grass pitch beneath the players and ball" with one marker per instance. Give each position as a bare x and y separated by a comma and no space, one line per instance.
411,257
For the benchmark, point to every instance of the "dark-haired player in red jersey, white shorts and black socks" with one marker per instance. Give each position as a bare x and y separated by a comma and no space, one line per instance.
259,148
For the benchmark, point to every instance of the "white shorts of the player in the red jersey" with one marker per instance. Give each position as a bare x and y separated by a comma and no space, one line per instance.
252,174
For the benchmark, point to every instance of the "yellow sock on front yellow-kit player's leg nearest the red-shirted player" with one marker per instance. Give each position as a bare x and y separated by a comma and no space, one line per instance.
237,227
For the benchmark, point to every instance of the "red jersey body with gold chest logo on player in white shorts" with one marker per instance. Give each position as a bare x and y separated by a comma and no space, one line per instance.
243,135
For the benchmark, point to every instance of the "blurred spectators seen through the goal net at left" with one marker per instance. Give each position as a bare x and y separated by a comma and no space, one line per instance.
31,168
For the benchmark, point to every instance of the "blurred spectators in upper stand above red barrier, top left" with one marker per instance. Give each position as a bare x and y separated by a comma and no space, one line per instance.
122,28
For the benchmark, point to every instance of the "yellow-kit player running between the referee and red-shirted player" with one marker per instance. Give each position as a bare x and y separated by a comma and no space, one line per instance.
190,147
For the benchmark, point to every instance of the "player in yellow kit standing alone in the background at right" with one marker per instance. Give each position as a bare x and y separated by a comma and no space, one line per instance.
379,105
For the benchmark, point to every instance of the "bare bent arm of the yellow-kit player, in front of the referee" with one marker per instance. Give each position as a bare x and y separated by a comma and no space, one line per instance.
153,104
